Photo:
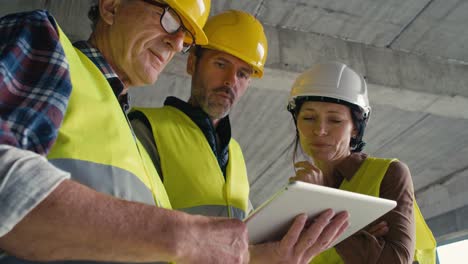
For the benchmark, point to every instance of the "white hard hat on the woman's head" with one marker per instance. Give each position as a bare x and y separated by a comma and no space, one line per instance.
332,80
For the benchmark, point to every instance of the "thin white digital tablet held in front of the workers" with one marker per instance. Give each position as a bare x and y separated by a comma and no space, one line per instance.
272,219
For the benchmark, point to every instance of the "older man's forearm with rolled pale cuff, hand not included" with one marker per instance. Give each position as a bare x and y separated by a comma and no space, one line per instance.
43,216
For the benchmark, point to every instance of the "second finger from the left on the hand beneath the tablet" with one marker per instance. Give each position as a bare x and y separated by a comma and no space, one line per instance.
309,237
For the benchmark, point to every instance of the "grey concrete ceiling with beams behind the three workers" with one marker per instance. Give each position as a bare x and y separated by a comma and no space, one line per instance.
414,55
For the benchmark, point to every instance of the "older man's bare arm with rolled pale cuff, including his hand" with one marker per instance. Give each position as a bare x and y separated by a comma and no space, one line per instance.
73,222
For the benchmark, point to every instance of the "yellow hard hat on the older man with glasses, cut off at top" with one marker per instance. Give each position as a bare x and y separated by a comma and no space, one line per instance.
194,15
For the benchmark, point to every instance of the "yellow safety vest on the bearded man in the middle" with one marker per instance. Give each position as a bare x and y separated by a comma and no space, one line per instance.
192,176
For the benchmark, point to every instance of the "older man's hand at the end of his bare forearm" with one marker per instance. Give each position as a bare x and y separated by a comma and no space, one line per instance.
214,240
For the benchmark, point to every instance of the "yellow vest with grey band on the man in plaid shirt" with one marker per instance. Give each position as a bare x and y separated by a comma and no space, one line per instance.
95,143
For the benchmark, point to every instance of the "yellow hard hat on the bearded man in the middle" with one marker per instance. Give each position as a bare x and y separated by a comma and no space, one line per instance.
239,34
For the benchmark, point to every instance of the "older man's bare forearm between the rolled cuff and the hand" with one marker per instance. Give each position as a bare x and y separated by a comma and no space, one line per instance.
75,222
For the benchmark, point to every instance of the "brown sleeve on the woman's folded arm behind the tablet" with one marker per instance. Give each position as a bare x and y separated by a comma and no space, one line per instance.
397,246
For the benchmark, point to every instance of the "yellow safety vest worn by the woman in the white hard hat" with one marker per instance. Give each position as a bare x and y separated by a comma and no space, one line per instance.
367,180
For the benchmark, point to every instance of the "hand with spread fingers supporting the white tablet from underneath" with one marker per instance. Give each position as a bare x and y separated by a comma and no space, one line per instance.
303,241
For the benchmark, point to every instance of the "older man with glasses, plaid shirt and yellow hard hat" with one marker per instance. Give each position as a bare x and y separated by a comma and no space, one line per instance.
97,195
